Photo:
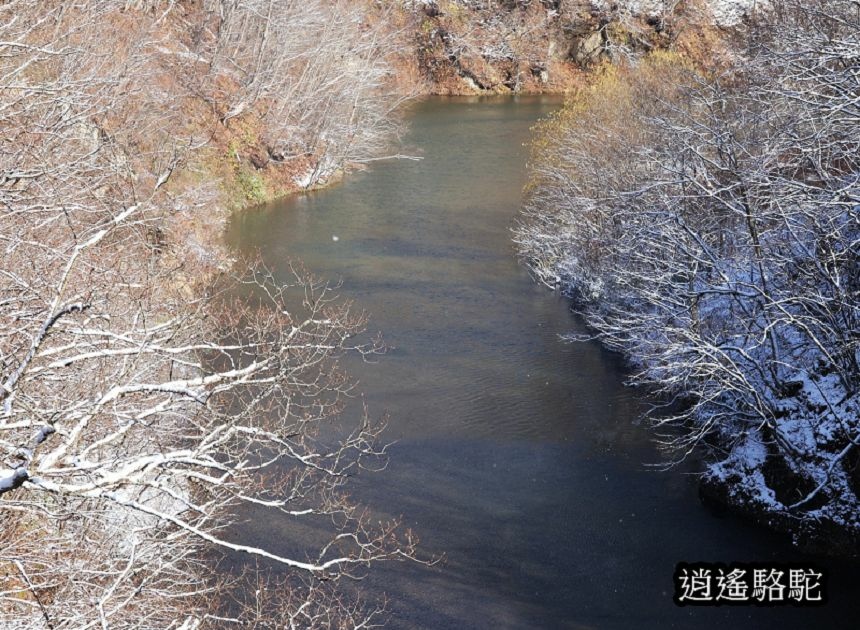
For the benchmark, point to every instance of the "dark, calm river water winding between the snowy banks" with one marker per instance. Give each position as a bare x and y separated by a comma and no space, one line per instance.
518,455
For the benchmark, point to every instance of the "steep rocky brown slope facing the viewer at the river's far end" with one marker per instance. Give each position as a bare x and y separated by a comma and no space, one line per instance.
468,47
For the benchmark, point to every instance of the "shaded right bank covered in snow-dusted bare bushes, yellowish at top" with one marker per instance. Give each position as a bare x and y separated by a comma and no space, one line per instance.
670,202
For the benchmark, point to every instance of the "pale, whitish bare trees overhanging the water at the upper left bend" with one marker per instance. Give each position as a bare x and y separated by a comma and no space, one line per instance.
318,75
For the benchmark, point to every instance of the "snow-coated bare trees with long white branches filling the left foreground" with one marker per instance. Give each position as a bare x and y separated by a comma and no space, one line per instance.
141,417
